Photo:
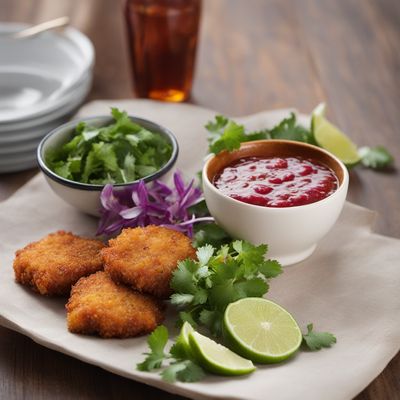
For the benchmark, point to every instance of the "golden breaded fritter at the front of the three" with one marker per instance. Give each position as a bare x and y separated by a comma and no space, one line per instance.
99,306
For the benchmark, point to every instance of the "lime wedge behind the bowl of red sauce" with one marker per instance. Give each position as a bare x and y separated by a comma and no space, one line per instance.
330,138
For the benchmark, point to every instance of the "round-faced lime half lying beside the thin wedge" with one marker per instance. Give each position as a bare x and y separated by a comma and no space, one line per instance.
261,330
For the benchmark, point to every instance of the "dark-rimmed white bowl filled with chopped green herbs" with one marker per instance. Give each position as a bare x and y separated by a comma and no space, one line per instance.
80,157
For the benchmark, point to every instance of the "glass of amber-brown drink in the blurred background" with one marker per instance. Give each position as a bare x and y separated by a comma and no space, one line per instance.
163,37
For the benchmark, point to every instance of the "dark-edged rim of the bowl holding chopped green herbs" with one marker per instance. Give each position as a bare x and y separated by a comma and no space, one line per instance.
96,187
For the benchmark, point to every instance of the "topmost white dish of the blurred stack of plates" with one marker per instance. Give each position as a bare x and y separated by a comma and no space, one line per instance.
37,74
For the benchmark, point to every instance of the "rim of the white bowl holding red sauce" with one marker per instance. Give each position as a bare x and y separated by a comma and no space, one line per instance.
342,185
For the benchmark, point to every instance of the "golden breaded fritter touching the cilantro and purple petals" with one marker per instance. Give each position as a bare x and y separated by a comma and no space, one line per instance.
144,258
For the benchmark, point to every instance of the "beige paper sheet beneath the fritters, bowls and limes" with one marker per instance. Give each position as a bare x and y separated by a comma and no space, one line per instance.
349,286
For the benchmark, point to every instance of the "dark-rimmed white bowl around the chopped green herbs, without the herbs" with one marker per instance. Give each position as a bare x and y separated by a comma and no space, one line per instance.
86,197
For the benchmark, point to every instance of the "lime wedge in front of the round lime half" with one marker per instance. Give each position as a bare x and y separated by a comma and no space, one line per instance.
216,358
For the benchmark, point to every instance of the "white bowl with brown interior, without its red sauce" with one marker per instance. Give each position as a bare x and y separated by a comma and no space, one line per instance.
291,233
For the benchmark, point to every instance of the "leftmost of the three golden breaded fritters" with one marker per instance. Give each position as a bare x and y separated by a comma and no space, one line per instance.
53,264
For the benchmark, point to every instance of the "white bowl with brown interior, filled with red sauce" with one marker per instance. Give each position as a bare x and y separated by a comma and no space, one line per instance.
284,193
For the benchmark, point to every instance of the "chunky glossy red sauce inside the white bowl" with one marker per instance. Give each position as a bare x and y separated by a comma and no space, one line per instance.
276,181
